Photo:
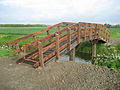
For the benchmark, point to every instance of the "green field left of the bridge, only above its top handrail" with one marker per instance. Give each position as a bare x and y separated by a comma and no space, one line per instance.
8,34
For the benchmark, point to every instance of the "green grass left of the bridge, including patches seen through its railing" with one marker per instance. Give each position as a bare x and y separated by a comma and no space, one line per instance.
8,34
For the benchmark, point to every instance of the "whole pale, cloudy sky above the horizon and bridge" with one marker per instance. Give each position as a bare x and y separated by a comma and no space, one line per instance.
55,11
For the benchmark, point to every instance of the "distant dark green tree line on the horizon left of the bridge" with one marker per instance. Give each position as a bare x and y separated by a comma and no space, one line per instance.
23,25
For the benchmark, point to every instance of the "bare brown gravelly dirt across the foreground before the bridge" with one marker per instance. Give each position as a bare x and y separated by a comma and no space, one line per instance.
62,75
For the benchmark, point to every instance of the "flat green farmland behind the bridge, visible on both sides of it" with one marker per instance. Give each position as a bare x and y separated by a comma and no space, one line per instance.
11,33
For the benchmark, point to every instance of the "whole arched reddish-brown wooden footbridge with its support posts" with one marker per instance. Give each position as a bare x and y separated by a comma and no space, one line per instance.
58,40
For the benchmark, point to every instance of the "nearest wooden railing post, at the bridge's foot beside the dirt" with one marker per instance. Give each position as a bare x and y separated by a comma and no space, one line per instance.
40,52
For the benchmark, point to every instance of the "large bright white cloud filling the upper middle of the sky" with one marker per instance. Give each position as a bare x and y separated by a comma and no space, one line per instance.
56,9
